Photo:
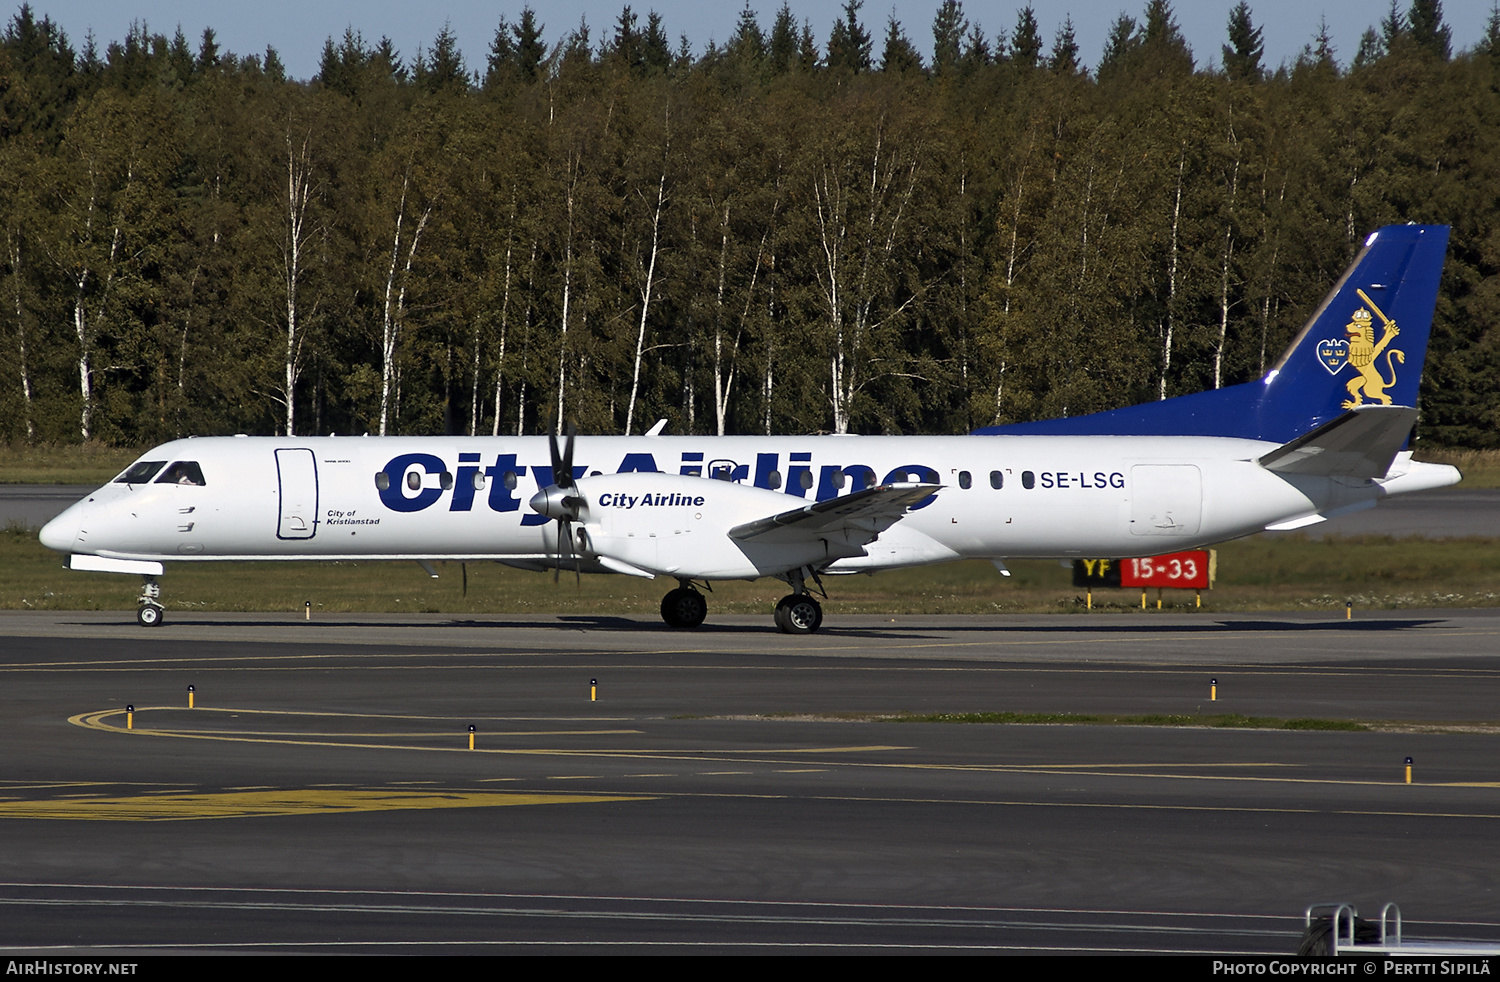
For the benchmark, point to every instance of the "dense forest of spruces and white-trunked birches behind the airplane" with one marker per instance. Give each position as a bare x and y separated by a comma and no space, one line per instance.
785,233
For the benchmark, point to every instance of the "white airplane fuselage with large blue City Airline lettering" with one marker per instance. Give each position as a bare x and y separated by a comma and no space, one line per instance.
466,498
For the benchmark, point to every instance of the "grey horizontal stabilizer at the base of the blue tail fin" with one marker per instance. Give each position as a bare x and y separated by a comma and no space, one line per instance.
1360,445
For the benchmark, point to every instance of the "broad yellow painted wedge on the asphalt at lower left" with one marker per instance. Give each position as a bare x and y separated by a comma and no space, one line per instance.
178,807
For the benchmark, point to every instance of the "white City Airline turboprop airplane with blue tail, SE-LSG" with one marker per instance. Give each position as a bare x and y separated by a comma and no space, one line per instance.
1322,434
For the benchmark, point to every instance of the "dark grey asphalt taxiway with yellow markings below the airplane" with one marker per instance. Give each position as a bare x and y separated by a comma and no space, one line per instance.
728,789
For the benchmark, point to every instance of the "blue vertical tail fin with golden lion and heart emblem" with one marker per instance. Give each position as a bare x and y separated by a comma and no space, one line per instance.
1364,346
